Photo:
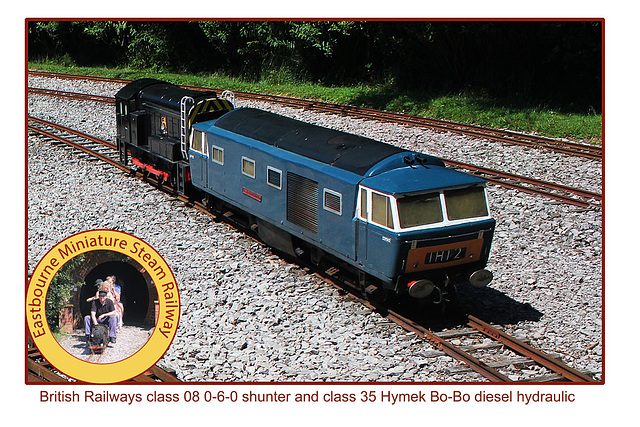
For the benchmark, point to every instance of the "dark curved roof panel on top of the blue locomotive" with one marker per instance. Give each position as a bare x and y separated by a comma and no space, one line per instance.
346,151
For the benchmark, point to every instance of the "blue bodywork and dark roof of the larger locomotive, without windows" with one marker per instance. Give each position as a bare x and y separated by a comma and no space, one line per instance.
330,166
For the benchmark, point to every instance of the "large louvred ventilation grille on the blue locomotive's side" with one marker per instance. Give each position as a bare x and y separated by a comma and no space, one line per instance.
302,202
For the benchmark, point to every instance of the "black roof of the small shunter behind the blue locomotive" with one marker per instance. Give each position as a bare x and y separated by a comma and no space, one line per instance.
160,93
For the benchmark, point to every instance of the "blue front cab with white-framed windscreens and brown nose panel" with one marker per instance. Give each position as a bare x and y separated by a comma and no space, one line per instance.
428,237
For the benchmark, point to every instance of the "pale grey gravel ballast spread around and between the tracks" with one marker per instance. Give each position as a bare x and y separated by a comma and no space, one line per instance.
248,315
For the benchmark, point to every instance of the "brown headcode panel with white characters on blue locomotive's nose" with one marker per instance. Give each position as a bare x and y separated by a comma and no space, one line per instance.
430,257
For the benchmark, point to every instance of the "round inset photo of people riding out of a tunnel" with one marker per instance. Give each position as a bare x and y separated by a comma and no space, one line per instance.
102,303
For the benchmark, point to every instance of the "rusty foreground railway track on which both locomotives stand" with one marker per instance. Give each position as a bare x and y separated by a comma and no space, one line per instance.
558,370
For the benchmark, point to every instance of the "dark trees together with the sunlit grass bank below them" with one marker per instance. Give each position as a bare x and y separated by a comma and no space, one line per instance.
541,76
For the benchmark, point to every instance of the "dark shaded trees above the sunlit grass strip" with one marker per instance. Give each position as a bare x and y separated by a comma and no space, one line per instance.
556,63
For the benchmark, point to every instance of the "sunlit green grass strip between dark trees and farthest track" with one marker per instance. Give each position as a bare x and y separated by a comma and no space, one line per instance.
460,108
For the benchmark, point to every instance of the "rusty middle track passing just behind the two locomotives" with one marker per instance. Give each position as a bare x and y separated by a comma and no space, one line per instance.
559,192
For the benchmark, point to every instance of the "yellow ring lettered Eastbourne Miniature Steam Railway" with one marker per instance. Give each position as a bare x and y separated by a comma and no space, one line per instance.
168,299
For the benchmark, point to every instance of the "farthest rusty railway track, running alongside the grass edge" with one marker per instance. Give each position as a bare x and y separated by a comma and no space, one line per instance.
535,141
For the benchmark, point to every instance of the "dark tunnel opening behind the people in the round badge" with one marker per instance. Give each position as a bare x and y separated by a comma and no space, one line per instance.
138,303
